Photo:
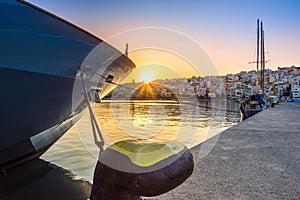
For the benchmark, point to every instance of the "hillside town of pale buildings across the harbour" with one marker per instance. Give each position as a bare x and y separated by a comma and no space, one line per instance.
283,83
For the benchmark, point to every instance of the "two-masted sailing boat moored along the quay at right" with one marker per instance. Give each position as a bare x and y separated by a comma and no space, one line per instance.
255,103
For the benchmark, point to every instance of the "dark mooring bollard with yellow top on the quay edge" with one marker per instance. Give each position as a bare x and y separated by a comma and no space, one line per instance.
134,168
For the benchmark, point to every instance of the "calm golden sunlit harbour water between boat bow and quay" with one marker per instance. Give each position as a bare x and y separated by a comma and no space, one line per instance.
188,122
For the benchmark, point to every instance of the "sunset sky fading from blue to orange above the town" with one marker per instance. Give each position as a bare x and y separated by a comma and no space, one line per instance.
180,38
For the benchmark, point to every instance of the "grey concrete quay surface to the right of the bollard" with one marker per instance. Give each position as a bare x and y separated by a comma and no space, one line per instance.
258,158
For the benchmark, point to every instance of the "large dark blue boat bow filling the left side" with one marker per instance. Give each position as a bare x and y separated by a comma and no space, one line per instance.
42,63
